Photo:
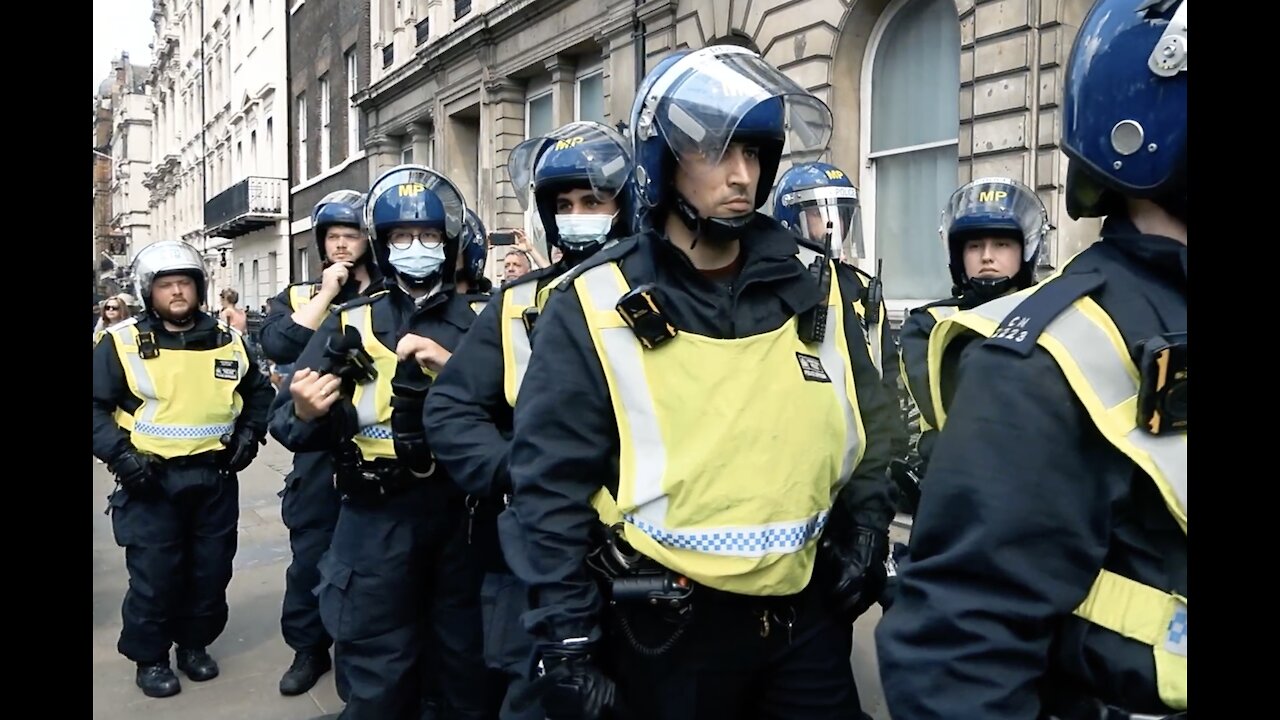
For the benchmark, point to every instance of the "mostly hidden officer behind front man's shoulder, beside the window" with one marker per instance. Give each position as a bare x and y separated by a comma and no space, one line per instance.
816,200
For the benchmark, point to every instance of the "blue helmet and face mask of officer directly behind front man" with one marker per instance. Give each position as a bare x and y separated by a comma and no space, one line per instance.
582,156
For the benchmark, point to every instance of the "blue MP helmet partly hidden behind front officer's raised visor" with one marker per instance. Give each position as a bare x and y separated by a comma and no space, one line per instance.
811,197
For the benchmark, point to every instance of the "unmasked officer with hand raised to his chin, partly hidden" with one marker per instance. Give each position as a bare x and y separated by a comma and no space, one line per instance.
309,503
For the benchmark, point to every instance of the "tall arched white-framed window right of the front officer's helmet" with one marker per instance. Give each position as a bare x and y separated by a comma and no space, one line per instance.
911,142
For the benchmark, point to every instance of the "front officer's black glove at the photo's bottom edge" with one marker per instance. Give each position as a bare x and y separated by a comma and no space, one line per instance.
578,690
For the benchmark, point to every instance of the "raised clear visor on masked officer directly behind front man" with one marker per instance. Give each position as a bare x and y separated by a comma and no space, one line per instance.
589,151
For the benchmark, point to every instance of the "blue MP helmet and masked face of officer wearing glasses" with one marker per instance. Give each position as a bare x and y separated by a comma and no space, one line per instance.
414,199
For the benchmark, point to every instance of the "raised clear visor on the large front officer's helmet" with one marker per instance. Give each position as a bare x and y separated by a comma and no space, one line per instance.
701,102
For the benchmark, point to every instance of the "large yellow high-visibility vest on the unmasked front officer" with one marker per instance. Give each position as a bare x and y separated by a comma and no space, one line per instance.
723,471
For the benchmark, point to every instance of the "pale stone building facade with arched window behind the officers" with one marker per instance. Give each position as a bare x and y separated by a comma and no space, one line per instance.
927,94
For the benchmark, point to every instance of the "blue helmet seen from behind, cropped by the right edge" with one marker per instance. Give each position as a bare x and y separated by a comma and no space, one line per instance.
1124,111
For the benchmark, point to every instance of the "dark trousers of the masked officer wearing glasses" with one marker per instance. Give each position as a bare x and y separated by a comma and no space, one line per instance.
390,582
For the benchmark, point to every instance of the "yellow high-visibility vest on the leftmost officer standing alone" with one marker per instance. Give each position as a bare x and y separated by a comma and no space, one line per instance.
177,425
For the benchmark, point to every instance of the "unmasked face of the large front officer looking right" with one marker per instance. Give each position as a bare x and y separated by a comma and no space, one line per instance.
725,189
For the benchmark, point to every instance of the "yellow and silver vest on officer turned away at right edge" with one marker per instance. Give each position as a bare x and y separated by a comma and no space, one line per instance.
1094,358
